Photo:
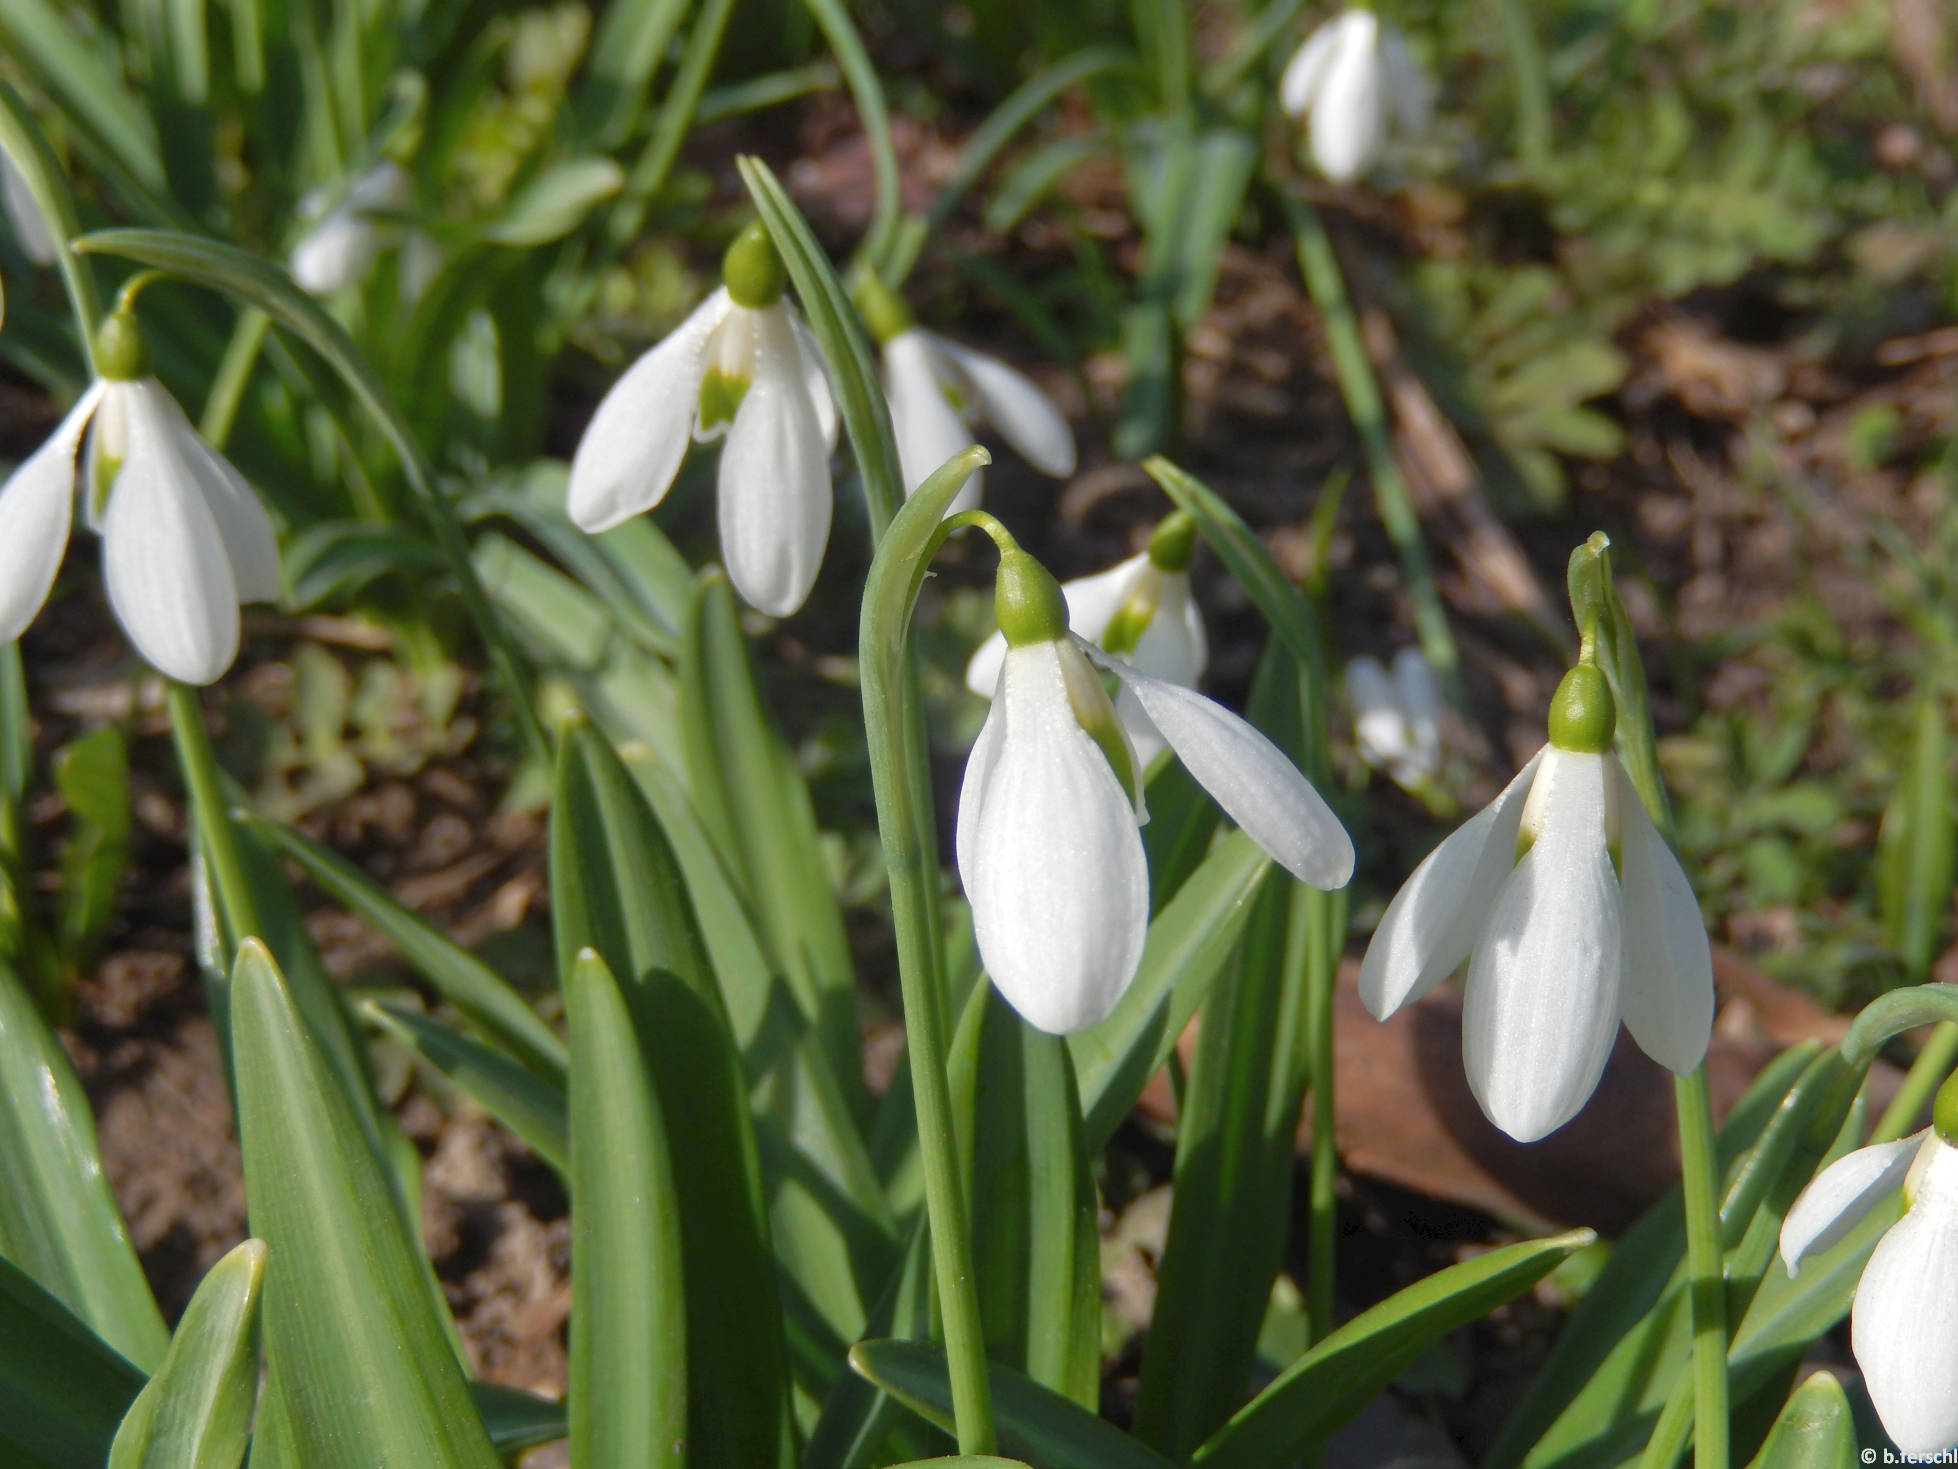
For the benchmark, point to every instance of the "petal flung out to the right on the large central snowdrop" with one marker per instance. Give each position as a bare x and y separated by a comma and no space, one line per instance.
1248,775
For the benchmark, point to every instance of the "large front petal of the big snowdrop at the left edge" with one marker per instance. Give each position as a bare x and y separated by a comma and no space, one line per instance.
165,561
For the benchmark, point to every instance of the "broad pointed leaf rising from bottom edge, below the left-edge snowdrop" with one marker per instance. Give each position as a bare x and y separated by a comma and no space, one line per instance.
365,1368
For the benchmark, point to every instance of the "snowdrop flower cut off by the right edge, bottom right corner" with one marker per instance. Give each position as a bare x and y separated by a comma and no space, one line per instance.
1904,1325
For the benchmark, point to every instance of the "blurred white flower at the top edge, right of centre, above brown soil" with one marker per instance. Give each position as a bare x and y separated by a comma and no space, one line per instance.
1350,81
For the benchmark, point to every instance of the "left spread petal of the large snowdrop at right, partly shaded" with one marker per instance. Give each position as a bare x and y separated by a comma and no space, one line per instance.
1442,910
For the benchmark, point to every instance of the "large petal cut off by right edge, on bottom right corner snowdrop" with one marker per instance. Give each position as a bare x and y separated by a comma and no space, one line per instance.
1904,1327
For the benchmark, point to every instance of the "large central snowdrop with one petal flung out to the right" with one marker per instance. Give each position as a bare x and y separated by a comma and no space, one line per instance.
1049,841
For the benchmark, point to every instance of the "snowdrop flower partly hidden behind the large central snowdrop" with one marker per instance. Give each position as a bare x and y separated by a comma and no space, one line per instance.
1141,610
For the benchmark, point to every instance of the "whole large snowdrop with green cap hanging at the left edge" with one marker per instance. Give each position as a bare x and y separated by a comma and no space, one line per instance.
183,538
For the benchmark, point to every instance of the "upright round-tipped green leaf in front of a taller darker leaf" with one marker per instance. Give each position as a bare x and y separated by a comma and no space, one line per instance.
629,1288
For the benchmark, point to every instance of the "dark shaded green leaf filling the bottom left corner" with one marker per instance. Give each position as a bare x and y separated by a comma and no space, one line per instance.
62,1388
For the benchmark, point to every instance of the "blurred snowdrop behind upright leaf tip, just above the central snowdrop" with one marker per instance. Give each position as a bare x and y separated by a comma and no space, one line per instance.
939,389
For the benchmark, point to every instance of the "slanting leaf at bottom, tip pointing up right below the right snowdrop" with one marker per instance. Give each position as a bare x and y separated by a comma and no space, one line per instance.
1344,1372
